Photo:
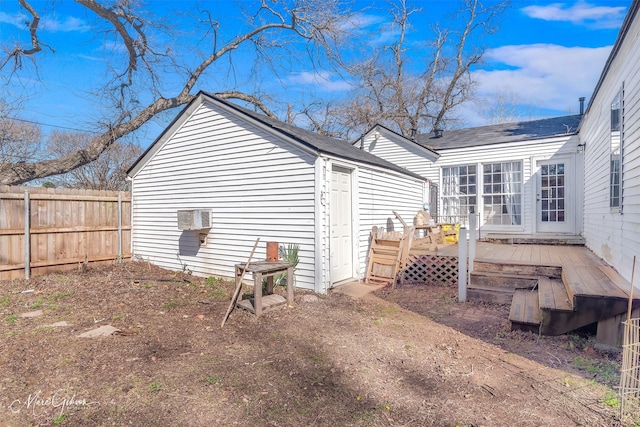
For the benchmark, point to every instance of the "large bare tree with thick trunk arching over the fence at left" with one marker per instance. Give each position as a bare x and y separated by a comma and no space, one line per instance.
138,74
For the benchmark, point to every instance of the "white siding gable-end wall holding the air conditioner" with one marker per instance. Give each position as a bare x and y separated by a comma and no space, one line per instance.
255,184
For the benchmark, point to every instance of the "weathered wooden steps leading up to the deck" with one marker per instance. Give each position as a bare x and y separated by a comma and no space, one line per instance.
551,300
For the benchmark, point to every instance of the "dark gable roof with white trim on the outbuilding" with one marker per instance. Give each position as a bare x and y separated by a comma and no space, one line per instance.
314,142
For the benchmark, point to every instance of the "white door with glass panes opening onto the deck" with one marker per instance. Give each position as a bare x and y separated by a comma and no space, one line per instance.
553,197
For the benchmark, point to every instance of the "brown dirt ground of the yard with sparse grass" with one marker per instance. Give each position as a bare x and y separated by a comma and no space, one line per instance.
406,357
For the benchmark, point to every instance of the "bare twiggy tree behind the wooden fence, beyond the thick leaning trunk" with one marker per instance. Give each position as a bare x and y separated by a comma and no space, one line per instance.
107,172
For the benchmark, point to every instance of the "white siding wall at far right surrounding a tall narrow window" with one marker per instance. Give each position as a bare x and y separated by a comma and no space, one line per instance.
612,233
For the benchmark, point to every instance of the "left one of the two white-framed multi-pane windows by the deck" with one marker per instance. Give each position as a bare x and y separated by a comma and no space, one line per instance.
459,192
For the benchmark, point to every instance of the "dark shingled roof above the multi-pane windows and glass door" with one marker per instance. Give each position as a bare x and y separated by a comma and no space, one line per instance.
502,133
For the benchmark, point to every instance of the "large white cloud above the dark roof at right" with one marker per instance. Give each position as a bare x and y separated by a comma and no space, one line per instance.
543,75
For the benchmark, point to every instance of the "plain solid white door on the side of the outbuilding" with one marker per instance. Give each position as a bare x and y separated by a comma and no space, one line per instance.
341,229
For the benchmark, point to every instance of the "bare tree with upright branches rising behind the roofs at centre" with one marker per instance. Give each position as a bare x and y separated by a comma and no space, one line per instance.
392,90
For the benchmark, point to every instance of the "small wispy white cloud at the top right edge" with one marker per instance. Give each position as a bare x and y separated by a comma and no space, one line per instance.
581,13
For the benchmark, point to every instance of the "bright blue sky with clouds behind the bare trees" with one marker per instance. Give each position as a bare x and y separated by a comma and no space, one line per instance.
546,53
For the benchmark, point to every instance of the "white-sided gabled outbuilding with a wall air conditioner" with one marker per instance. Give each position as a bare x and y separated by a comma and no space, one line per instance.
240,175
